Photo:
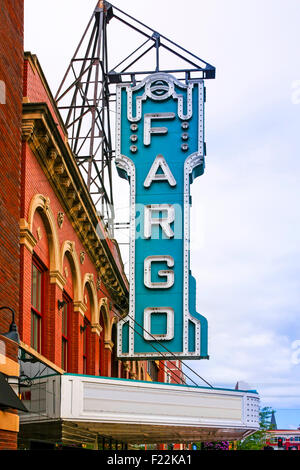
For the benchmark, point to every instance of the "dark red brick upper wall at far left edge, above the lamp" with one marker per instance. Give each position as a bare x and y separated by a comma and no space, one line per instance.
11,73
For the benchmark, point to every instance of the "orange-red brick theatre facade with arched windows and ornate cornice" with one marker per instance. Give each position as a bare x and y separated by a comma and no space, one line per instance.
73,289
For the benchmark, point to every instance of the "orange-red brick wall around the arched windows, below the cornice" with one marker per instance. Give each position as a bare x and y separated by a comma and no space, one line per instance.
35,182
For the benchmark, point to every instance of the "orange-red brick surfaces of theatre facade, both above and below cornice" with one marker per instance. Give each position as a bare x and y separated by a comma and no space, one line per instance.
34,181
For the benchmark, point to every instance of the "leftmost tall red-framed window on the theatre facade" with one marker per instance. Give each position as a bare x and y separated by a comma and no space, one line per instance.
37,304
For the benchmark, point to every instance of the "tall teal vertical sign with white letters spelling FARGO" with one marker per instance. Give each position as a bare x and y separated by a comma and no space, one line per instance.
160,150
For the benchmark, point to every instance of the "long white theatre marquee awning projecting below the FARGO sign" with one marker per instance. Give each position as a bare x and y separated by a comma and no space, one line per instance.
143,412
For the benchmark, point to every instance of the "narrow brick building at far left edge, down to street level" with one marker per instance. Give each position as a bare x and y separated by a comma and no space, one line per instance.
11,71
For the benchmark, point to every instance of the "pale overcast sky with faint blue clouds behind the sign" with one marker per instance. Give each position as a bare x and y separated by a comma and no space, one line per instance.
245,220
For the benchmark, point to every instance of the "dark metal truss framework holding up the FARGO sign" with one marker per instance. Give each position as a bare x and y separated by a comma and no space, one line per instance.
88,88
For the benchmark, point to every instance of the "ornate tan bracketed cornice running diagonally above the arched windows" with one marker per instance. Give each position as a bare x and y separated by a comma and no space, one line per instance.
57,161
